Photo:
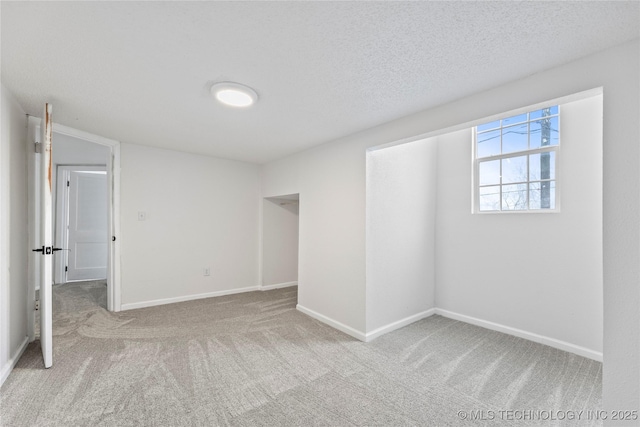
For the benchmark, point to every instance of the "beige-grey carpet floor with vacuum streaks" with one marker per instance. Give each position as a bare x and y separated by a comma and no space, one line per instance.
252,359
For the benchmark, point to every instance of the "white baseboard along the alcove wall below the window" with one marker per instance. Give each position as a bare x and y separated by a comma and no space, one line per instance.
541,339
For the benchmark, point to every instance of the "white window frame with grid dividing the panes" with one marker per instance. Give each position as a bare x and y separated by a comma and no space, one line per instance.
476,165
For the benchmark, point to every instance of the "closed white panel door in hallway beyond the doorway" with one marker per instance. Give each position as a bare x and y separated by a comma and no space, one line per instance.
88,227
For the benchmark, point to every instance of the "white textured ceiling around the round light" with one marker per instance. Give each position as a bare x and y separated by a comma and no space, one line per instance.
139,72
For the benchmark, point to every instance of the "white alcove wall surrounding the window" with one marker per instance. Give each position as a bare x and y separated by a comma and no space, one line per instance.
537,272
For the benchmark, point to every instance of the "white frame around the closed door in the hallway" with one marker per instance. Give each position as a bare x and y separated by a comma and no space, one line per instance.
61,215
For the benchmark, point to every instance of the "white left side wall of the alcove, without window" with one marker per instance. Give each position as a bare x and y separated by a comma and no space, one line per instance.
401,210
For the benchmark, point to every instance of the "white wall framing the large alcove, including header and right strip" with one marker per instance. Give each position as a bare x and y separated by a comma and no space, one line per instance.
330,180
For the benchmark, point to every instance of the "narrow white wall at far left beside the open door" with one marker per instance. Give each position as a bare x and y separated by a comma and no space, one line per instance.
13,234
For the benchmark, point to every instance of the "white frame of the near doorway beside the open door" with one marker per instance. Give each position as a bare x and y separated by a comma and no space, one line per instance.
113,179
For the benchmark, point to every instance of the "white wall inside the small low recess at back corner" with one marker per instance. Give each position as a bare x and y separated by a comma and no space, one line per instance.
279,241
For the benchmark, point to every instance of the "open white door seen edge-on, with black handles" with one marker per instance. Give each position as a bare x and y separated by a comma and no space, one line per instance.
45,251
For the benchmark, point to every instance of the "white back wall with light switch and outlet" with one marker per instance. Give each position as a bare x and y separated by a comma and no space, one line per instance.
199,212
